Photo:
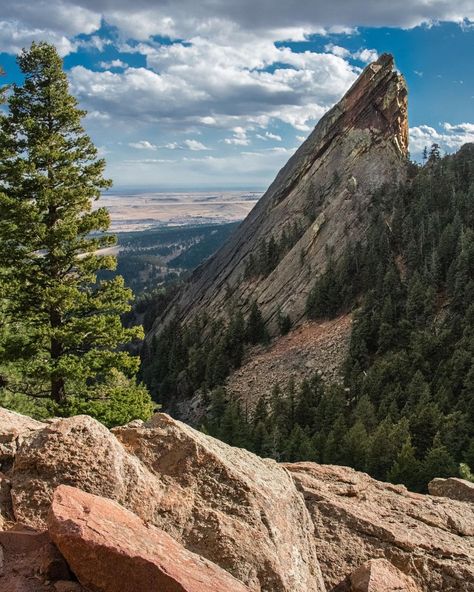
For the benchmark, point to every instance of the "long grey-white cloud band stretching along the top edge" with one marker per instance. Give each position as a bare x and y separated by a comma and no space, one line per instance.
186,18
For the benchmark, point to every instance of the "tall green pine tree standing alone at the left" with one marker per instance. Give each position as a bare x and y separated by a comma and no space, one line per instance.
65,334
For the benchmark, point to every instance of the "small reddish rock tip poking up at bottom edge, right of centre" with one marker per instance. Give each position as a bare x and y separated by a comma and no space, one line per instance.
378,575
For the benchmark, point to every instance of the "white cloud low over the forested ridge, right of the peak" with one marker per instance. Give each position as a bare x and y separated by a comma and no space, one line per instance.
450,138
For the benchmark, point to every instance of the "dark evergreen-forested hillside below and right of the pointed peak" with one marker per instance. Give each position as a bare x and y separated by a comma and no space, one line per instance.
405,411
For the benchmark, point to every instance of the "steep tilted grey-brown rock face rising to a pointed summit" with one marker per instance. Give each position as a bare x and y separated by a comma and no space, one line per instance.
358,146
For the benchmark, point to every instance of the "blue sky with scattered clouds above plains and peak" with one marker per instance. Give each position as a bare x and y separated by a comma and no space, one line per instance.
217,94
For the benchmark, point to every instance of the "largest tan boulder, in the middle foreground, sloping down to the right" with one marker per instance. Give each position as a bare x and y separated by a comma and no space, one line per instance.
228,505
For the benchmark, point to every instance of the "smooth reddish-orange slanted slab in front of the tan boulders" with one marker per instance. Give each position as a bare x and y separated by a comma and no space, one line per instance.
112,550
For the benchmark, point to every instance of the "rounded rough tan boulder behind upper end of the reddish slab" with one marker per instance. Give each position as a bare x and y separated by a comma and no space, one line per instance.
78,451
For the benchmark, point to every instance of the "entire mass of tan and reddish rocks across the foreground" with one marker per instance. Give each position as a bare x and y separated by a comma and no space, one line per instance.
221,511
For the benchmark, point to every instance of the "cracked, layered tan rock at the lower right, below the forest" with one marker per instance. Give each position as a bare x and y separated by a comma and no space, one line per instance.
358,518
